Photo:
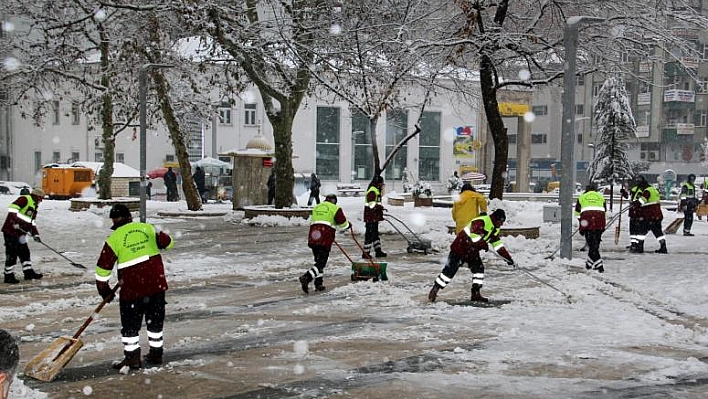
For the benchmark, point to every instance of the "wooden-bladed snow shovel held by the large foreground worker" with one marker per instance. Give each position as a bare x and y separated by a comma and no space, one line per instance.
49,363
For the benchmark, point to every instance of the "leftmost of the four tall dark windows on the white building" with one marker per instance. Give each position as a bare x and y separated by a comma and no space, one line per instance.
327,143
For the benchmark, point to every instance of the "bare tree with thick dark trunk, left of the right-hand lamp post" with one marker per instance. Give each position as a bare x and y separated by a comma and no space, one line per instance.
506,37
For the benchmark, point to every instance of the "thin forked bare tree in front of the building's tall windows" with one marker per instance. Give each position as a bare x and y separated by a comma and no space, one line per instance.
378,59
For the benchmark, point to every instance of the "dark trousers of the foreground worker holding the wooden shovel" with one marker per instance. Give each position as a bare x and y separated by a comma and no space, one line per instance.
152,308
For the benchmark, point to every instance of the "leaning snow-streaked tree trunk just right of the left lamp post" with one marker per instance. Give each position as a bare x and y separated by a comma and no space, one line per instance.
194,202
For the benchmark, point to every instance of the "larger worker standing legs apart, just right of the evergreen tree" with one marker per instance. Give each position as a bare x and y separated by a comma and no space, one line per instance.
648,209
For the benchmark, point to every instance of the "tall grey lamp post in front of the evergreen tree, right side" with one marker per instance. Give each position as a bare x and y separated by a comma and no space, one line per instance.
570,42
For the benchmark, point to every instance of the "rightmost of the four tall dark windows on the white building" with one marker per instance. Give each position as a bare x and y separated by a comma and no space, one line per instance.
429,147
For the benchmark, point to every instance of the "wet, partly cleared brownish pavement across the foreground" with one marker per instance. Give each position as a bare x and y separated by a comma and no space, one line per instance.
231,334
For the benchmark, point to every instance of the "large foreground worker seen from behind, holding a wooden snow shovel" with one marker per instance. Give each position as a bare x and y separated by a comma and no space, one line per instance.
133,249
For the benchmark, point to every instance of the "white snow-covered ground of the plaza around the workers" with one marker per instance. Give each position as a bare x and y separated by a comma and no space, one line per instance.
640,327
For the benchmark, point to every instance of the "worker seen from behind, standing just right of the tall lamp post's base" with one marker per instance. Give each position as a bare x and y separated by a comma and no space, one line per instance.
590,209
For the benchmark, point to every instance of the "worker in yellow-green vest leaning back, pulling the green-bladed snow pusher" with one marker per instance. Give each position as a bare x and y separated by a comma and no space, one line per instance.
325,216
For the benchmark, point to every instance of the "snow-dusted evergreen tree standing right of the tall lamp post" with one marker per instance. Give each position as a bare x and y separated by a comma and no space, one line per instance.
615,126
